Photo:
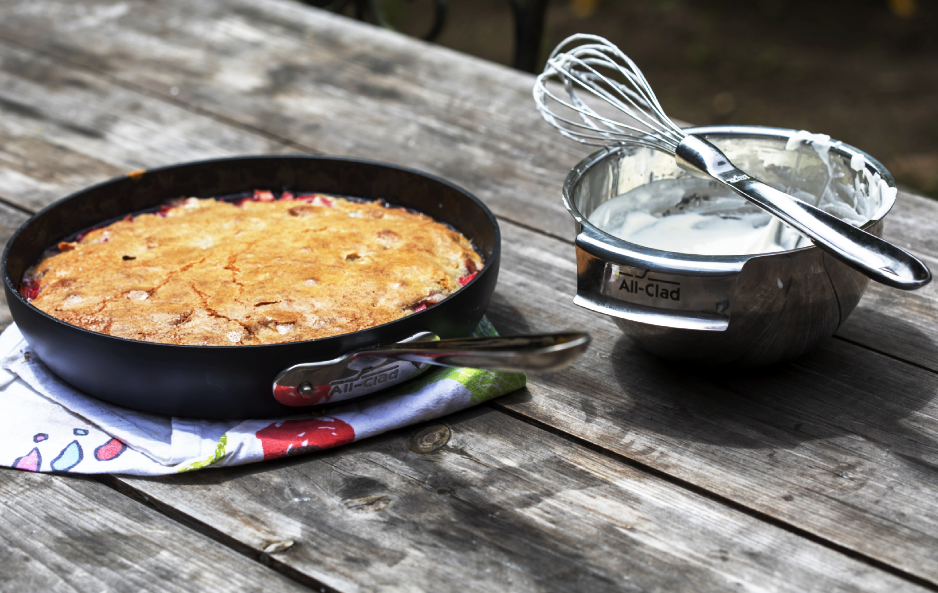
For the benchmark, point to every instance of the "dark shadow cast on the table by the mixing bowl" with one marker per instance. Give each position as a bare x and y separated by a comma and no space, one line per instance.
811,398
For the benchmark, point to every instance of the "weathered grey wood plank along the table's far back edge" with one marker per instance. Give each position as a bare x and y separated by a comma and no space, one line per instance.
326,83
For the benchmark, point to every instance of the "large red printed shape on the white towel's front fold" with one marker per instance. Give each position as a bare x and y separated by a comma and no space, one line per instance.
292,437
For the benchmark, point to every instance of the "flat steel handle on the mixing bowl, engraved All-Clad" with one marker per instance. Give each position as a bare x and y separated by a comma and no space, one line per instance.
648,286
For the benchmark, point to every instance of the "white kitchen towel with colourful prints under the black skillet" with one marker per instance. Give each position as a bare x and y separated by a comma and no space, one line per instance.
48,426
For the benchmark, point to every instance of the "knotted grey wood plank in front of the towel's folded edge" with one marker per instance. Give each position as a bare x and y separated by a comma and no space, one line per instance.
484,503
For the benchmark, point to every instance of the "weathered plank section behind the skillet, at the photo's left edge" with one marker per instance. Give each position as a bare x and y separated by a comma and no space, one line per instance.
63,129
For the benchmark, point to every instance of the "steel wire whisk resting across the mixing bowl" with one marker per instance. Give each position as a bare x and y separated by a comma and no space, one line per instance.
592,65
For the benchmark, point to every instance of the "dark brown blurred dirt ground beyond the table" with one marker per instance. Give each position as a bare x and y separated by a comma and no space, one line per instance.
863,71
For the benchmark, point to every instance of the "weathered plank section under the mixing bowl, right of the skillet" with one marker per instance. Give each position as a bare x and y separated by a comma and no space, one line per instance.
842,443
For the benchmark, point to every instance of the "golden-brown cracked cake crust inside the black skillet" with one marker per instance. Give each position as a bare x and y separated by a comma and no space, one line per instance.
210,272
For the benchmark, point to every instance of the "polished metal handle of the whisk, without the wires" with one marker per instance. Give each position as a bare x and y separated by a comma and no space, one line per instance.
880,260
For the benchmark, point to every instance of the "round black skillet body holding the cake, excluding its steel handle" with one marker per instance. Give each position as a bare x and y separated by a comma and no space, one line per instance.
233,381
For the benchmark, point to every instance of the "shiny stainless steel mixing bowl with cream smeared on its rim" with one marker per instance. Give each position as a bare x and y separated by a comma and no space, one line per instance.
740,309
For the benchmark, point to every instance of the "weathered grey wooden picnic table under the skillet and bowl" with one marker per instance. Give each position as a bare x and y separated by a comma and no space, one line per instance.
621,473
